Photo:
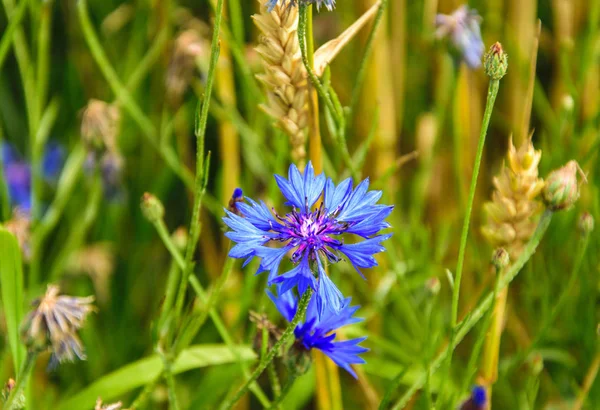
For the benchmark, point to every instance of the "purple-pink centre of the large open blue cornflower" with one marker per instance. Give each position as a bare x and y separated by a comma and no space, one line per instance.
310,232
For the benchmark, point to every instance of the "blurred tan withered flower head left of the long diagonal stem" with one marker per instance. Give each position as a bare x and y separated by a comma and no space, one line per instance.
100,126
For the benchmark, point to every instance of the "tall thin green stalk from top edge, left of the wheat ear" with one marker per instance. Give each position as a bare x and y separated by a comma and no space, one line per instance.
201,171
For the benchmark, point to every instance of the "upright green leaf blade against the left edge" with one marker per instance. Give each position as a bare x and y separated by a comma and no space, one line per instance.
11,282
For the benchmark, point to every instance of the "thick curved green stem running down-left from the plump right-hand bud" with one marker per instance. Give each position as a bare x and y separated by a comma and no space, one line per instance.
477,314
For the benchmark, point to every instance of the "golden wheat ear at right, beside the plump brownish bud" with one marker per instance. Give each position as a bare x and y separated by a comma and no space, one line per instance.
512,213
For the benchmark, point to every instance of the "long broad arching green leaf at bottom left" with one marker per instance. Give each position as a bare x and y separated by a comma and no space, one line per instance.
146,370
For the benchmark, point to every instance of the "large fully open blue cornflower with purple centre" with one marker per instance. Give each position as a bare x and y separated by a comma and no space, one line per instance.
310,234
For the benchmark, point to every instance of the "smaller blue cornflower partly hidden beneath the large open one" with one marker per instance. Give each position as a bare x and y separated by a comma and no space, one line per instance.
316,332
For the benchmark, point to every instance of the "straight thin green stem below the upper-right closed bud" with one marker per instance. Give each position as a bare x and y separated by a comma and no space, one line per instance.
491,98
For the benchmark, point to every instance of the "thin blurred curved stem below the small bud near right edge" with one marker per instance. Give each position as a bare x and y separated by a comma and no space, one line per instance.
556,309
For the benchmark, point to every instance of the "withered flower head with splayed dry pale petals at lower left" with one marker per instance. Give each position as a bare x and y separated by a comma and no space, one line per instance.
53,323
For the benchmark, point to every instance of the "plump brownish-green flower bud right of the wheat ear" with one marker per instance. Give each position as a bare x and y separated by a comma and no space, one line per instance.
562,189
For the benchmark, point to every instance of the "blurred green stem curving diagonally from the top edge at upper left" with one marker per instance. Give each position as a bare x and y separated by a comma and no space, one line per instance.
123,95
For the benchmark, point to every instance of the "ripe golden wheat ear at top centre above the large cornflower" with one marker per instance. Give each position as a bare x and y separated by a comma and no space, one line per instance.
284,77
